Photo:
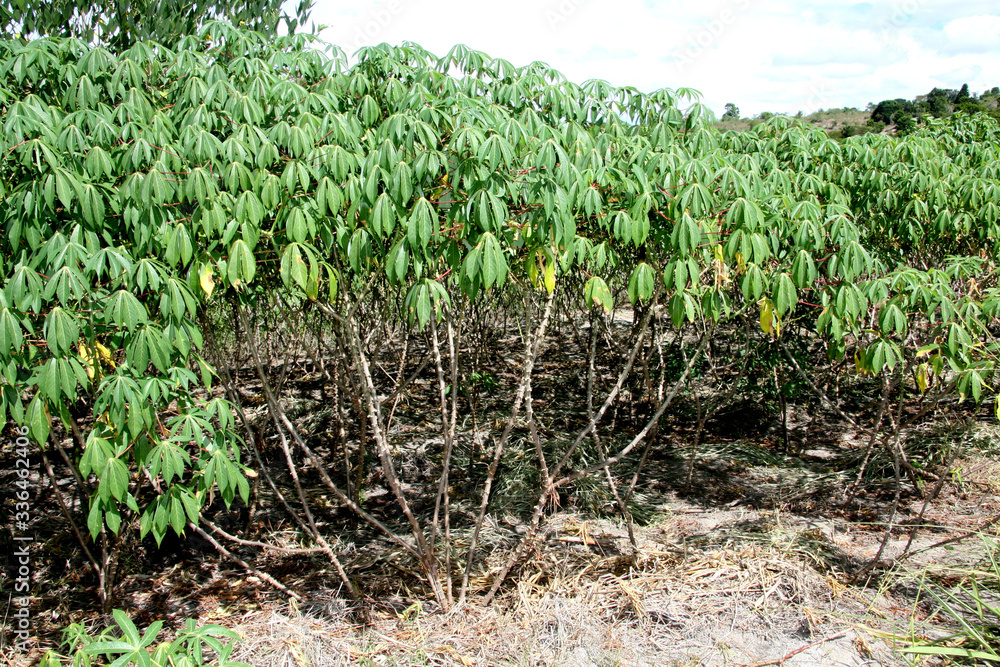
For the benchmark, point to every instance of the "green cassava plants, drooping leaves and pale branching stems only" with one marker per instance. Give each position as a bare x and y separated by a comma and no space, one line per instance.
396,204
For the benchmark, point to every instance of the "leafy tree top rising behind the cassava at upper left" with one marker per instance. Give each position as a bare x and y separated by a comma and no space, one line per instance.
121,23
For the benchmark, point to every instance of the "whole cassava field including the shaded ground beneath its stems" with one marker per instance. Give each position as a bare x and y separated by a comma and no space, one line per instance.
377,326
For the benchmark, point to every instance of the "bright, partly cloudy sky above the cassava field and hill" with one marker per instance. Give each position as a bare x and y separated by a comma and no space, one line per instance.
782,56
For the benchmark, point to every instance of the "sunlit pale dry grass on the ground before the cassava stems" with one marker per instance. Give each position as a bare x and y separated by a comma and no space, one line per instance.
745,591
